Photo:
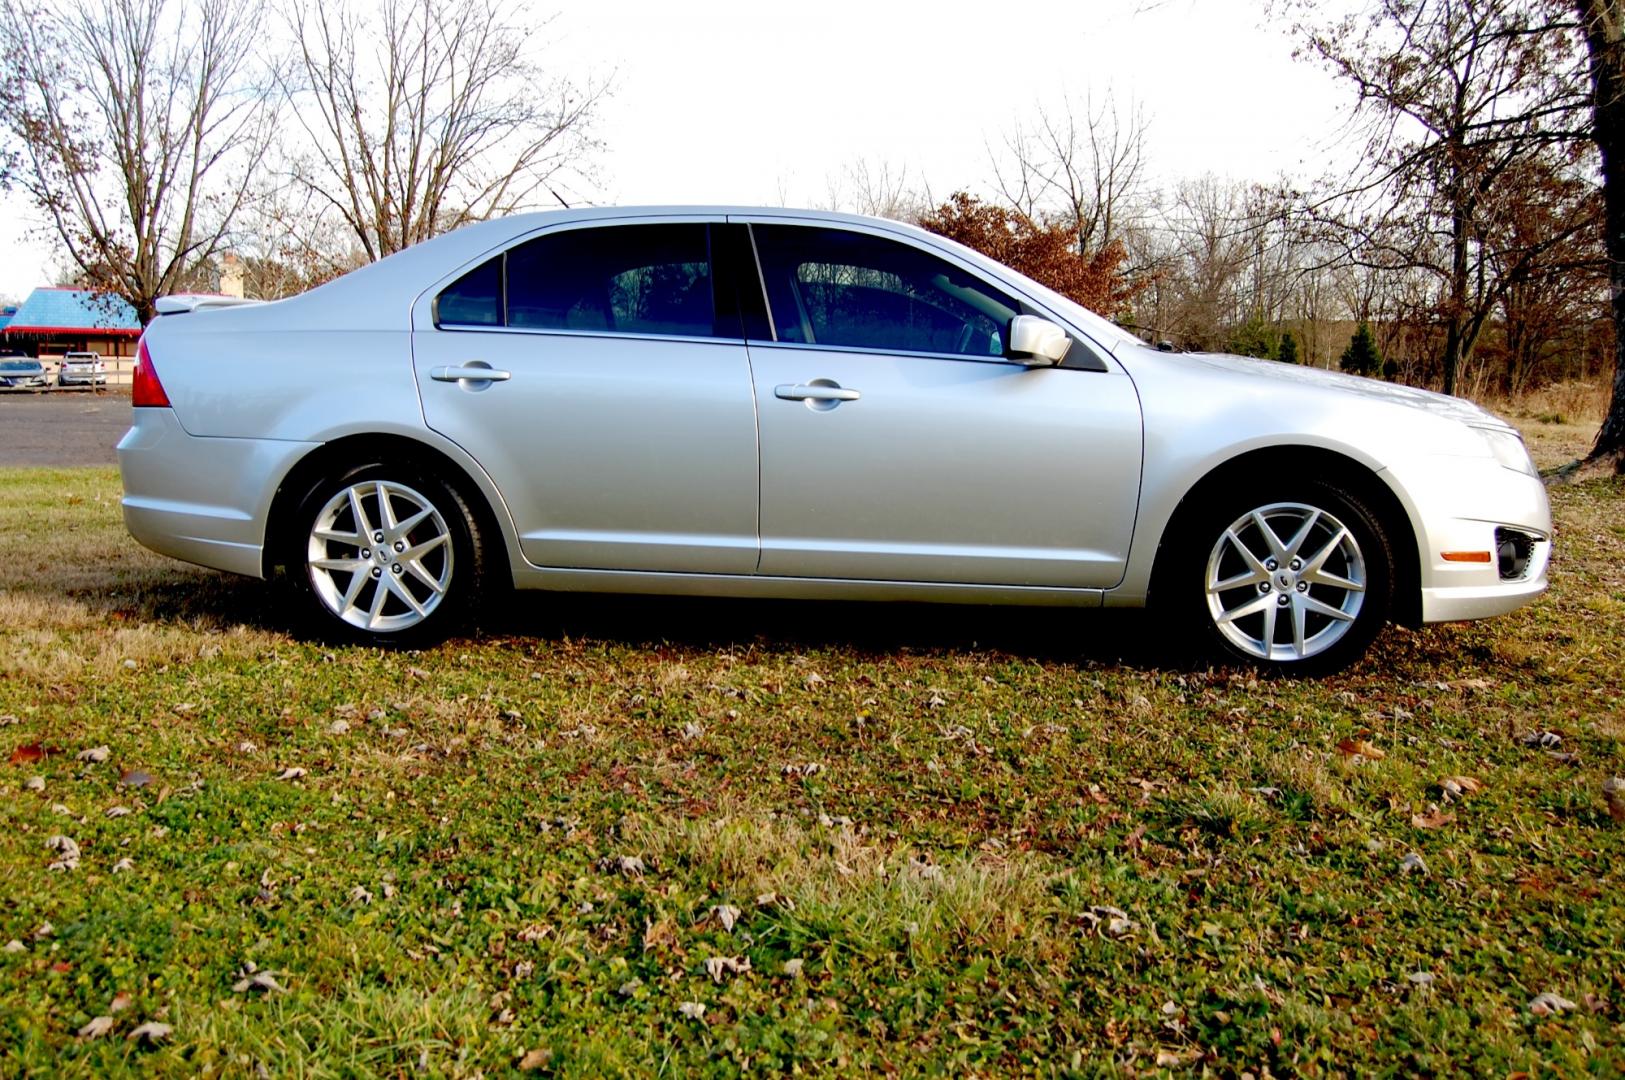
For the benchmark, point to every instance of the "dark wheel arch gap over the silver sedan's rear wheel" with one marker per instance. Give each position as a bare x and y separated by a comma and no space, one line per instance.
375,446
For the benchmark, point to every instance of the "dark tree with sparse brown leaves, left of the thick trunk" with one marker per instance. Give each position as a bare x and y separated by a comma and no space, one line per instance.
1455,97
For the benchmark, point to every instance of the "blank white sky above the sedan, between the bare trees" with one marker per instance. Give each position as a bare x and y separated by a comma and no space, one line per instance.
765,103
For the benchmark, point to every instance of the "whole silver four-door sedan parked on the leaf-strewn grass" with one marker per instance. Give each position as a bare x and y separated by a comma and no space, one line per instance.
794,404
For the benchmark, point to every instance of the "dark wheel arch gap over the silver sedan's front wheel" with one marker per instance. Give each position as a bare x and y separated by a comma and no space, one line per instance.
1319,464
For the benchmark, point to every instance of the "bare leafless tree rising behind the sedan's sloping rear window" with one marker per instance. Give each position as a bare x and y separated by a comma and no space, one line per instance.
428,114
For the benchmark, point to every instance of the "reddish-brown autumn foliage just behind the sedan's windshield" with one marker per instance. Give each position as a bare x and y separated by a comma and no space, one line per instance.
1047,253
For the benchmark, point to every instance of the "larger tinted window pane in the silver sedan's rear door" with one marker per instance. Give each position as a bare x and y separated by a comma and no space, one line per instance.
652,280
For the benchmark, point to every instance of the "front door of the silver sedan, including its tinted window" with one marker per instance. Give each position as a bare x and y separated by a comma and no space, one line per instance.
899,443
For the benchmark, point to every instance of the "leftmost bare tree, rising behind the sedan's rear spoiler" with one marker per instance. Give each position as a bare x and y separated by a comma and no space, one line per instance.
134,126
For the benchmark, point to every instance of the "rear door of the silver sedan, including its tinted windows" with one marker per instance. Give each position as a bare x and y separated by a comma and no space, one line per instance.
618,417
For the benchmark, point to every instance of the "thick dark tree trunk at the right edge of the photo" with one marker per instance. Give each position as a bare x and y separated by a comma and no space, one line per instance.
1605,24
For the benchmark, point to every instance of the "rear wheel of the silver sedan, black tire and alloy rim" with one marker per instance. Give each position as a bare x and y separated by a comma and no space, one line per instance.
334,605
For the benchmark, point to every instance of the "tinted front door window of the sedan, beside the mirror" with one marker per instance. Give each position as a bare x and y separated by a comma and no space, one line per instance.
838,288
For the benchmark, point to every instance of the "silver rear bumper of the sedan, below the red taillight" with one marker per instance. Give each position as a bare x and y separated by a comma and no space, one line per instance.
202,501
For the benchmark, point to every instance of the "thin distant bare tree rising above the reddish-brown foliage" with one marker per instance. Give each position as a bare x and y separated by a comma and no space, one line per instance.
1085,165
